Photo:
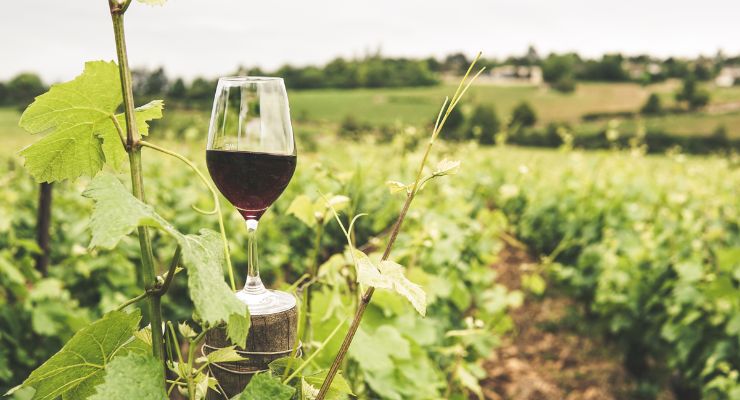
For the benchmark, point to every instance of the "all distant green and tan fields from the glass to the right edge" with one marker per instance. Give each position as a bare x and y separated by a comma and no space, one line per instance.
417,106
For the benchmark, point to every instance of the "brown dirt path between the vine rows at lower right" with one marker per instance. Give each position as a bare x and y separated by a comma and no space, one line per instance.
543,358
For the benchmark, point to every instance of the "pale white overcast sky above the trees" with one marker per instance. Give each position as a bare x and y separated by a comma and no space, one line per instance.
213,37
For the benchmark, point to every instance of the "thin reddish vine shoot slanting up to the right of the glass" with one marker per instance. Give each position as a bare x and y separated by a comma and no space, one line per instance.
444,113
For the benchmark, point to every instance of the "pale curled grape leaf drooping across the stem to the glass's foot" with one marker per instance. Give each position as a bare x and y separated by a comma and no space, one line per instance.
117,213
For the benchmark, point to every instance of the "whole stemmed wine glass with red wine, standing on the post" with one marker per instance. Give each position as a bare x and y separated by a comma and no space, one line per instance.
251,156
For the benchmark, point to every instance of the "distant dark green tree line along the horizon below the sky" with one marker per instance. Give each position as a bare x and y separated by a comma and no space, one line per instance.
560,71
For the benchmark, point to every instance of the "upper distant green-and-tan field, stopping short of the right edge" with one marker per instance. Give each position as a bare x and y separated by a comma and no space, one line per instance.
415,105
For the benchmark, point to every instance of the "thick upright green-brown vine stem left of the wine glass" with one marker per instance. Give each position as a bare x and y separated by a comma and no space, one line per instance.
147,271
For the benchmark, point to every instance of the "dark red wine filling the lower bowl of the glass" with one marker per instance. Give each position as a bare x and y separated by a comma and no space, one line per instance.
251,181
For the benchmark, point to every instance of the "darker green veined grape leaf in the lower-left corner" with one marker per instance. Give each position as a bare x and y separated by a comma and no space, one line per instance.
79,366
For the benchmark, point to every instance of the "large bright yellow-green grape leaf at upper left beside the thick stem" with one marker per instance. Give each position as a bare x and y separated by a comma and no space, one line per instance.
79,117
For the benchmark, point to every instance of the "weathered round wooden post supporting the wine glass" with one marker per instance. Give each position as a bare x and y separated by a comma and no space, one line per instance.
271,336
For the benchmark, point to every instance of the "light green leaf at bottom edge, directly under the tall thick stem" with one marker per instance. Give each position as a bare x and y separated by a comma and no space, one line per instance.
133,376
